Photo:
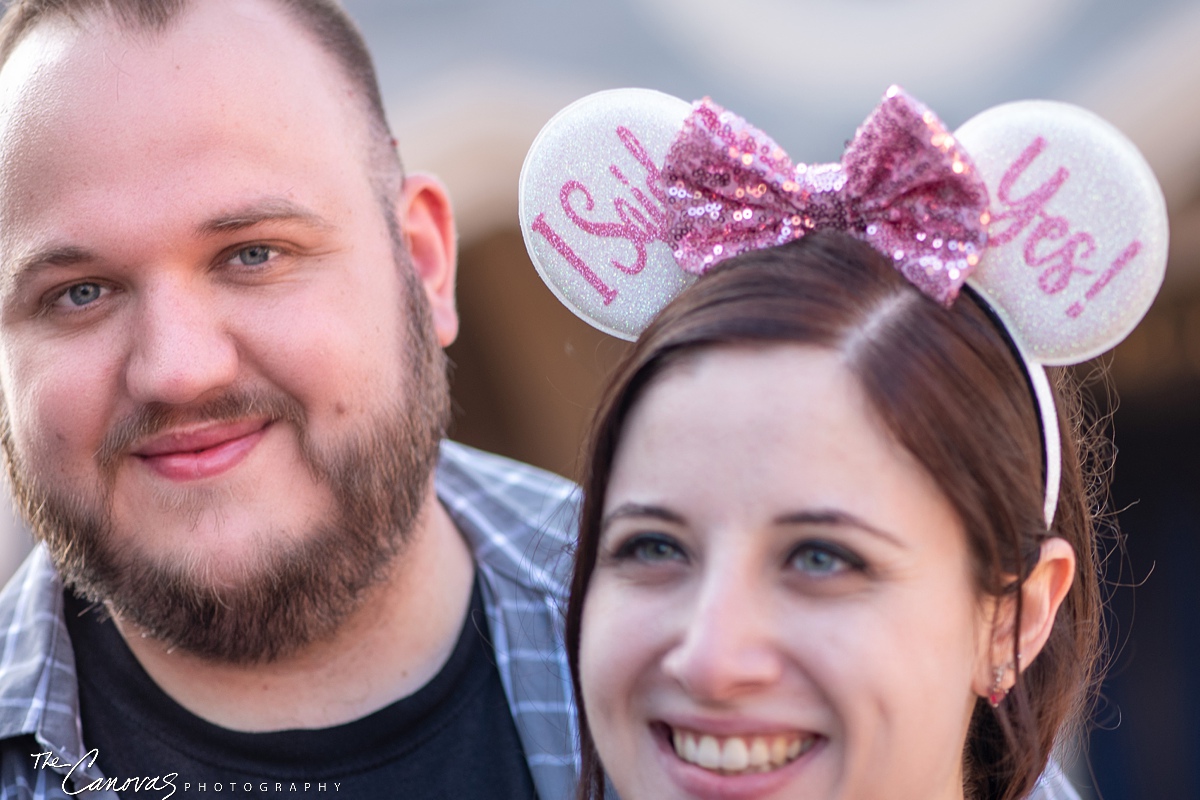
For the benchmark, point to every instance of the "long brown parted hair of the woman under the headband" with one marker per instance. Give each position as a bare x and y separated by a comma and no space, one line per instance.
949,386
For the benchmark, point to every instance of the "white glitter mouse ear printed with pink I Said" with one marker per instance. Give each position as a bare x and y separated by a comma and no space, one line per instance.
591,208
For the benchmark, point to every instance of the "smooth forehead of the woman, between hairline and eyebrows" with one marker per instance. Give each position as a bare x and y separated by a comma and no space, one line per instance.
766,429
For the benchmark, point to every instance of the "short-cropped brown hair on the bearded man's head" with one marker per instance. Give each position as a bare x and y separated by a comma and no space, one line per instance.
325,21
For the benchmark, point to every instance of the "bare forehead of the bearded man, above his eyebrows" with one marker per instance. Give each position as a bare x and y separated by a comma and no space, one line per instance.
226,65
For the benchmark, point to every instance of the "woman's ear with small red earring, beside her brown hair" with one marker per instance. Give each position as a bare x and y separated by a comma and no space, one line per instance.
1042,594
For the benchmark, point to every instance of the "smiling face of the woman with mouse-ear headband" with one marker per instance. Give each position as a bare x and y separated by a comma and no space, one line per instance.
783,605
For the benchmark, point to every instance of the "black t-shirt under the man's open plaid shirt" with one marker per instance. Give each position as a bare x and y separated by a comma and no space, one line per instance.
453,739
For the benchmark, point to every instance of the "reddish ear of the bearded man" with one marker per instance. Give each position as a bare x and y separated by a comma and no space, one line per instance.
427,222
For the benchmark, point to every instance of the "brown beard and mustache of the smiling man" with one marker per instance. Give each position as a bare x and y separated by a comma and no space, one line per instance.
297,593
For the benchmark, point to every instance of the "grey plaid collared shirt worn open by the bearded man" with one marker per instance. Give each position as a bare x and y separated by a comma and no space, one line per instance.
519,521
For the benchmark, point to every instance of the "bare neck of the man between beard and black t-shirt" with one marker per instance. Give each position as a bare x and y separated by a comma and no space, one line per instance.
392,646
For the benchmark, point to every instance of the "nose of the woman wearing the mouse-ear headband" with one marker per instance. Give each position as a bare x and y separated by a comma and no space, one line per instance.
728,647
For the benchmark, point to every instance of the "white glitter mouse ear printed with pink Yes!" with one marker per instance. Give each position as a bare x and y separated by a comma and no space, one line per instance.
1077,245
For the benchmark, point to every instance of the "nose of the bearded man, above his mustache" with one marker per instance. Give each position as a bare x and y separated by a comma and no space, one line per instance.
181,345
